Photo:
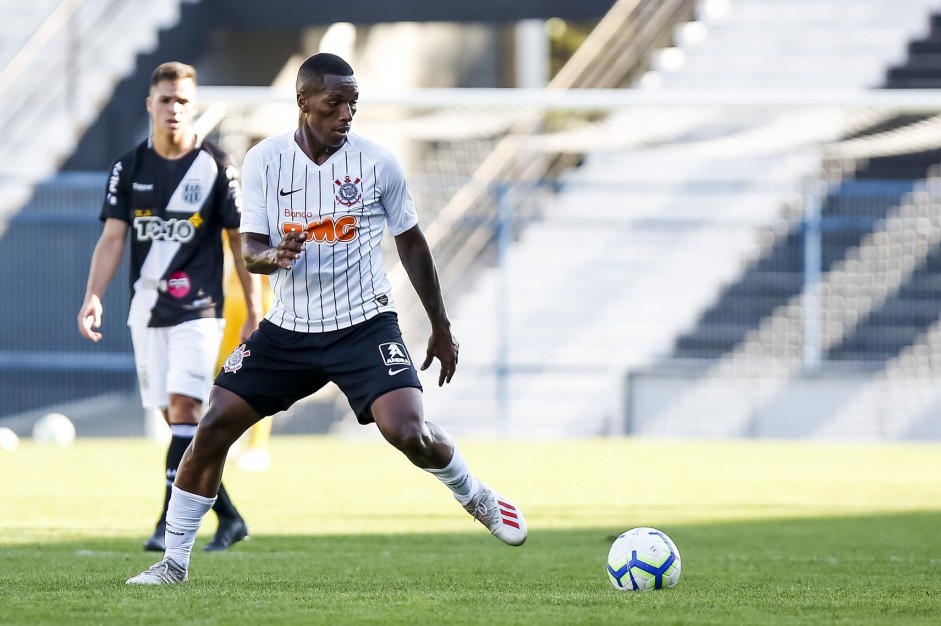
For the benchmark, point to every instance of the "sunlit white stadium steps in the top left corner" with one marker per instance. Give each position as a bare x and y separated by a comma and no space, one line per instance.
40,132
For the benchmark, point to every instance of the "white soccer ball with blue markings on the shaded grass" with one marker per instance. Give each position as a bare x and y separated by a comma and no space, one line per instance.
642,559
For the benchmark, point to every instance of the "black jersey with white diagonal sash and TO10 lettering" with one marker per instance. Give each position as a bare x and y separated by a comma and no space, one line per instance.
176,210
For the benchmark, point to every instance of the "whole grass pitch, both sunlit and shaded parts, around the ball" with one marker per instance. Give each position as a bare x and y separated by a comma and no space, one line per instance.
347,532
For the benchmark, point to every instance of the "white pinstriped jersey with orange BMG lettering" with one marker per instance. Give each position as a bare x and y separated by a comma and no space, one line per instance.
344,206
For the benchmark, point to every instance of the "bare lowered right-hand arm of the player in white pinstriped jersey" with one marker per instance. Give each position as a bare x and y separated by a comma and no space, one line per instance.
419,264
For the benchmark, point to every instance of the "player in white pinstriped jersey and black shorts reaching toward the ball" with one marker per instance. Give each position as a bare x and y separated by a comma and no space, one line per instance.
316,202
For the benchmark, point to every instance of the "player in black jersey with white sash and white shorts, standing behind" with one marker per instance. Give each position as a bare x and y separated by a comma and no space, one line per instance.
174,194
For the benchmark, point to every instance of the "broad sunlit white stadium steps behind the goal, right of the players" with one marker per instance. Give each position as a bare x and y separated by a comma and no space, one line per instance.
595,289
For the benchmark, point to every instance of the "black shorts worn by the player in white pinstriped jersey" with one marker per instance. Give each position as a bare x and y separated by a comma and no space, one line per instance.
276,367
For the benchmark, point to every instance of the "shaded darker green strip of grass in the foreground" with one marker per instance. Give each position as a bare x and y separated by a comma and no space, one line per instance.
855,570
